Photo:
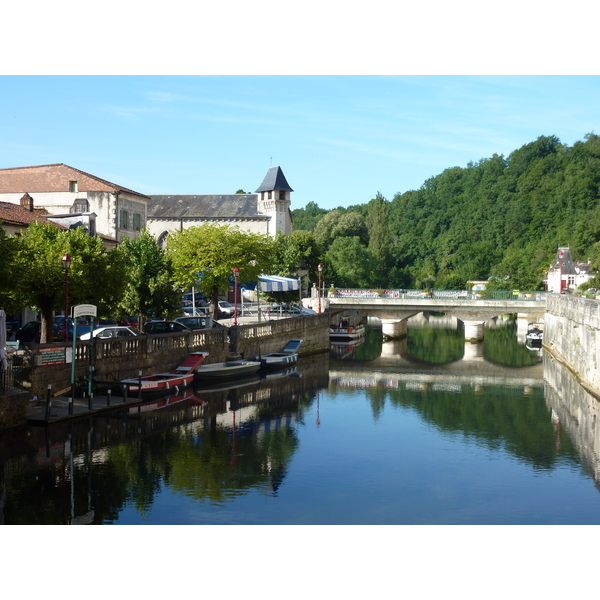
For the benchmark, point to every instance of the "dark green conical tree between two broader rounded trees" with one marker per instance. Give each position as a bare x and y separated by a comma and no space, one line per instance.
150,289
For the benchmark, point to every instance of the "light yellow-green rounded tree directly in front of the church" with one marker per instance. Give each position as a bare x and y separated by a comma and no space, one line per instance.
205,257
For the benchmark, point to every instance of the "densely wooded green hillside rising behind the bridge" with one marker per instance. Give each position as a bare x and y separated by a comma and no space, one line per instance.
500,217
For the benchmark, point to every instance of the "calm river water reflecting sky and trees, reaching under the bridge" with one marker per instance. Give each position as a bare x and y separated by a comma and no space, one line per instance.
423,431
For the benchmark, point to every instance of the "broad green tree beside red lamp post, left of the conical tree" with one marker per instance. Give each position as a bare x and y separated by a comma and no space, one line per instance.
96,276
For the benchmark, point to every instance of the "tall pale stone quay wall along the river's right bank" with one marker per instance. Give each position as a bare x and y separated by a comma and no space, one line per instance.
572,336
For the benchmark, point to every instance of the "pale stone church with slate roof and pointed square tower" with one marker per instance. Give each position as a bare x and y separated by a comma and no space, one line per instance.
267,211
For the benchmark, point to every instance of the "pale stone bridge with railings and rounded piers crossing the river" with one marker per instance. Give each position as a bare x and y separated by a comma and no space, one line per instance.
396,308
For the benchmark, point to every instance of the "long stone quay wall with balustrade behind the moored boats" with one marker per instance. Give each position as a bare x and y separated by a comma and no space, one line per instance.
117,359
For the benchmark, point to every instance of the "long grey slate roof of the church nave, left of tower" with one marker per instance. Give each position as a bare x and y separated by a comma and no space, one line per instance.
206,206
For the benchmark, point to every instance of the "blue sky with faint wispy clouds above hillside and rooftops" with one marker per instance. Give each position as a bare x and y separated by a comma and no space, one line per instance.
338,139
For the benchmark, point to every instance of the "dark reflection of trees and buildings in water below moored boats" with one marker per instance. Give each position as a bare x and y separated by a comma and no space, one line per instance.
208,443
